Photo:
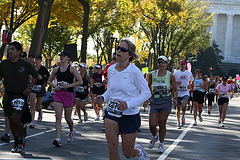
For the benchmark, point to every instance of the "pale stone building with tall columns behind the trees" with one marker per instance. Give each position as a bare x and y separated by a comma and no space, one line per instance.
226,31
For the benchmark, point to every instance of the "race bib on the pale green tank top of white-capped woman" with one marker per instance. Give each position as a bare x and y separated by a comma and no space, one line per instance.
160,90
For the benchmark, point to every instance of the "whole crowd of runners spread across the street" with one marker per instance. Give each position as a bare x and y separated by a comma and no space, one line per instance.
115,93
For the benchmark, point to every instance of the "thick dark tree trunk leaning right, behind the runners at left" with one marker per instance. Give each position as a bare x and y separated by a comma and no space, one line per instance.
40,30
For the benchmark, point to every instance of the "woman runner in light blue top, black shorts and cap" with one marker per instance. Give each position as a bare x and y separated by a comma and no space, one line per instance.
199,89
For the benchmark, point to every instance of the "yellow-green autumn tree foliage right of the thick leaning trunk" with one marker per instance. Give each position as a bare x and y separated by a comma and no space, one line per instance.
173,28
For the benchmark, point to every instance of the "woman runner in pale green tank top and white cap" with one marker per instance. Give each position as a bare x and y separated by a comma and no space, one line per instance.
159,81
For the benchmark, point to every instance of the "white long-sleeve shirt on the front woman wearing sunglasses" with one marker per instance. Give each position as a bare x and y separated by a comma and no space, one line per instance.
128,85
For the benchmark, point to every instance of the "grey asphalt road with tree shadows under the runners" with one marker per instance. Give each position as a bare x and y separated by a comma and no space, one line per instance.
207,140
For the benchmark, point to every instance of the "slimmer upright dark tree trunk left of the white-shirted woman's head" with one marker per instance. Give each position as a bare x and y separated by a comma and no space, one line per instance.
86,8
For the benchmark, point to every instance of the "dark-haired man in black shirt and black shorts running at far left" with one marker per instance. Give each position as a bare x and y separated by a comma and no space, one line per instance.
15,72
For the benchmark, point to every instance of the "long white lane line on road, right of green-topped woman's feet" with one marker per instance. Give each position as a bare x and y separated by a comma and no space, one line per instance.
175,143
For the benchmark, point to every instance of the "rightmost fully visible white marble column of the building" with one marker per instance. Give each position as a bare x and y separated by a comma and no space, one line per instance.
228,39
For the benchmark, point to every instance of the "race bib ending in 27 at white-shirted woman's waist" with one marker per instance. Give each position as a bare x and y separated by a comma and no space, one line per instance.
112,108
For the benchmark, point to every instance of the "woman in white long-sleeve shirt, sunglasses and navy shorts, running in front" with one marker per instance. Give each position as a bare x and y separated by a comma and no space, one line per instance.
127,89
